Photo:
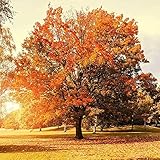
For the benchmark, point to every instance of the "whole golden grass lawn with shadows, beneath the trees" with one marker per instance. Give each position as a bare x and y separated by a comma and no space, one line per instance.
53,144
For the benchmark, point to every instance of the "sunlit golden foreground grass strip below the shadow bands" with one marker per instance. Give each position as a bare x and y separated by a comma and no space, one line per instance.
94,152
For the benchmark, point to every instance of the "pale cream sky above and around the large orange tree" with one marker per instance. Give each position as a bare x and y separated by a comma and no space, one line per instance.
145,12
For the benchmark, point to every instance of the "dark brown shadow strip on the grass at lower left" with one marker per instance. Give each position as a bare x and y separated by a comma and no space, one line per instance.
24,148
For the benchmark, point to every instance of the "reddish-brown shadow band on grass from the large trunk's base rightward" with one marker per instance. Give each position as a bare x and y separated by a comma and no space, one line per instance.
97,140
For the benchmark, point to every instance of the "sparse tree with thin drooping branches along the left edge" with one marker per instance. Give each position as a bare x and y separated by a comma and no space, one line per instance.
6,48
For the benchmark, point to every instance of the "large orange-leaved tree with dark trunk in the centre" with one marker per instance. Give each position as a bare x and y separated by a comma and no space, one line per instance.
91,59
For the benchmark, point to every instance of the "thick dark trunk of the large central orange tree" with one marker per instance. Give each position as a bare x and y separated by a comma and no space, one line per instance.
78,128
